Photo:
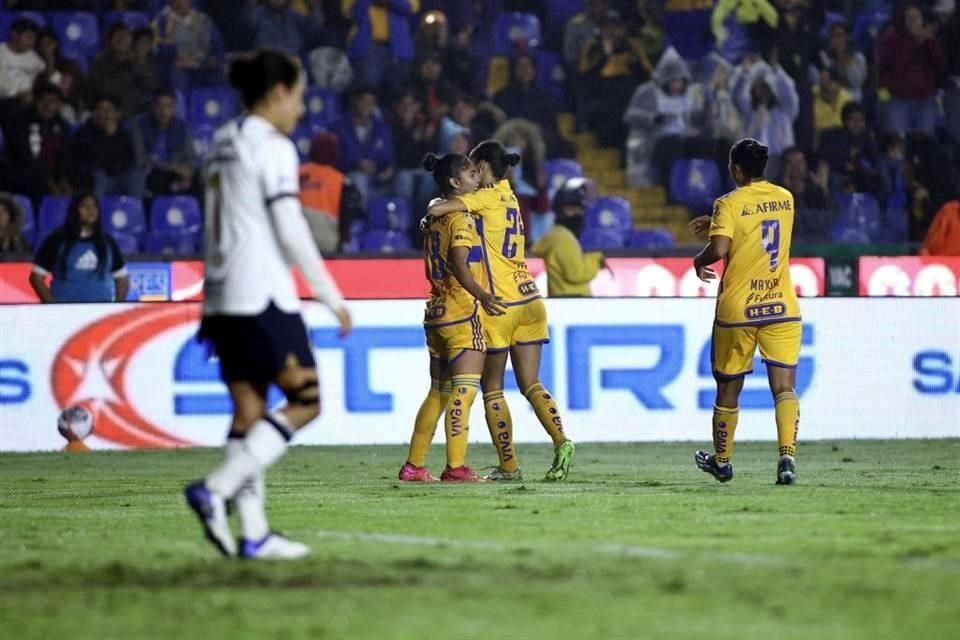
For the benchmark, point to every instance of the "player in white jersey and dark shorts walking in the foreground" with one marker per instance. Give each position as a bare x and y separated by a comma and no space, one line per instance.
251,312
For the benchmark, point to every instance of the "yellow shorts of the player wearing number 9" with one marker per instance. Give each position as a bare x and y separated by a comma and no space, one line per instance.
733,347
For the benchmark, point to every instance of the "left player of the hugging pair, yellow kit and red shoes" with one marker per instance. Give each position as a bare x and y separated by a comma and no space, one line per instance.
458,286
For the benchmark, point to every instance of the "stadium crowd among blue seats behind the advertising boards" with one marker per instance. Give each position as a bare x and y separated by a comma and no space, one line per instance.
858,100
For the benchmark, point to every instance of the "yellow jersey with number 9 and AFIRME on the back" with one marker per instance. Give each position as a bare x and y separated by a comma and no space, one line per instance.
756,288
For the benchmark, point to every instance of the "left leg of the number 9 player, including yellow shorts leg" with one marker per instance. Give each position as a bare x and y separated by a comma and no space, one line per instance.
732,352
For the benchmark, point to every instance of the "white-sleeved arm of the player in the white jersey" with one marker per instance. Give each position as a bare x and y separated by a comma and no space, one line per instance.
283,199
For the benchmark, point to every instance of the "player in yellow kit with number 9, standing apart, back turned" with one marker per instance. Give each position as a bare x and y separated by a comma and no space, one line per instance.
750,230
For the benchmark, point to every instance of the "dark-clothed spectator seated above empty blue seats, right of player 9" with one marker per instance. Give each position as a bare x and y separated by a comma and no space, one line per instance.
851,154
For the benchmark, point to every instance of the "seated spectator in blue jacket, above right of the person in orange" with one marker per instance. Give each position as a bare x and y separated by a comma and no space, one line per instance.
365,144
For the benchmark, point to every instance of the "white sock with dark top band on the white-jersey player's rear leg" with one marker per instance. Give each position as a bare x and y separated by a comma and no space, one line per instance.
266,442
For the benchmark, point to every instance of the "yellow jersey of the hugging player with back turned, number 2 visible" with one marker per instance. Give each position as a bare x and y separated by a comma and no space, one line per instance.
500,228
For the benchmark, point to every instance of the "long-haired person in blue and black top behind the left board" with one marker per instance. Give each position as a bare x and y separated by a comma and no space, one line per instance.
84,260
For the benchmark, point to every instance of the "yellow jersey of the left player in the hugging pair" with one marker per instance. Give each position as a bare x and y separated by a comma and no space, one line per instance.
449,301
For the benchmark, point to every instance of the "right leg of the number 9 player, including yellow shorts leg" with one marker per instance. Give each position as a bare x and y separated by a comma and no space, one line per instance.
780,350
